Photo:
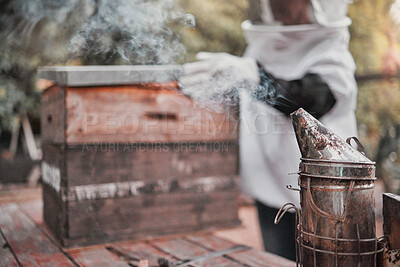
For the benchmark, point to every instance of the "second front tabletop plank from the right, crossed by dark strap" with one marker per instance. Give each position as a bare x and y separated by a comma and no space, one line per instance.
184,249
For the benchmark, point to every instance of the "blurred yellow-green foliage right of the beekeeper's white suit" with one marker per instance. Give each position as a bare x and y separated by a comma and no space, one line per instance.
378,106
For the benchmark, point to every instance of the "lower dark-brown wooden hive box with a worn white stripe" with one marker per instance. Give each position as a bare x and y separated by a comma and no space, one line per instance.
94,197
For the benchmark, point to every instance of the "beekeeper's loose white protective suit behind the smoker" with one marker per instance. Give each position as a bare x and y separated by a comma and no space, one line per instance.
268,147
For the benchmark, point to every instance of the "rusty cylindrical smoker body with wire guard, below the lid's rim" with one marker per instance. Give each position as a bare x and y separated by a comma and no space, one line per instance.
337,222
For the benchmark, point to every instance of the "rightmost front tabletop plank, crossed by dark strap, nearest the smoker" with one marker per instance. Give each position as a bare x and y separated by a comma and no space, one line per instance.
251,257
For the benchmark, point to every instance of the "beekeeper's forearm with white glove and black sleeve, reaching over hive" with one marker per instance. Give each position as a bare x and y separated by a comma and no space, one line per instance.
221,73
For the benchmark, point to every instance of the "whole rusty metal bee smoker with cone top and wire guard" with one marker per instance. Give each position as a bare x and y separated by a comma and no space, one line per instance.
336,223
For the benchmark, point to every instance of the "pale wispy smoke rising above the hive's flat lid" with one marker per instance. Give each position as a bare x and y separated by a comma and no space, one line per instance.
137,31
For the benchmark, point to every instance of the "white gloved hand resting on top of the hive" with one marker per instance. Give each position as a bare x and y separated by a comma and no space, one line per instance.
218,74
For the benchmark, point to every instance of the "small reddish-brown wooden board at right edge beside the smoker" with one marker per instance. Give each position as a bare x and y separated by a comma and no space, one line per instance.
391,219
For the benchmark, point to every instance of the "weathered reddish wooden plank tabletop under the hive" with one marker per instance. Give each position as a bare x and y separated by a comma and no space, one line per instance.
25,241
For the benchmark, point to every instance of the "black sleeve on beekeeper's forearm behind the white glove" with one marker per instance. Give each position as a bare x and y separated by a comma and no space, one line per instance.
310,92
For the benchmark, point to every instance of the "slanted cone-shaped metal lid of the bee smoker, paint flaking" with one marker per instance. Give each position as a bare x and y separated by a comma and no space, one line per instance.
316,141
